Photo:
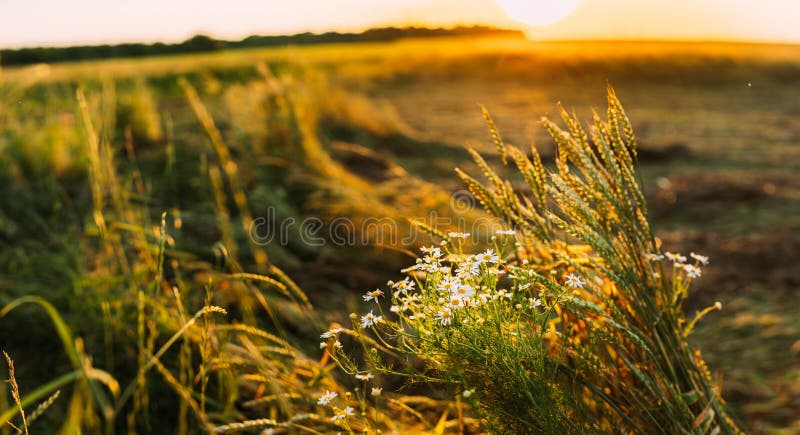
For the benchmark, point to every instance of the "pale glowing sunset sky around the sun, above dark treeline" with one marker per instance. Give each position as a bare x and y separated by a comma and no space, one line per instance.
40,22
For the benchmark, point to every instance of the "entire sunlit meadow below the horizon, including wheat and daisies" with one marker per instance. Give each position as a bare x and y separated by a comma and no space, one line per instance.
403,237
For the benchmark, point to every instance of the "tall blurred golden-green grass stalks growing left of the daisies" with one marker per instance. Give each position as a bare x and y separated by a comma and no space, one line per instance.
149,364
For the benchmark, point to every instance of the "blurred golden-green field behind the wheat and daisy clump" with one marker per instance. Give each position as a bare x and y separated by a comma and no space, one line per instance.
365,131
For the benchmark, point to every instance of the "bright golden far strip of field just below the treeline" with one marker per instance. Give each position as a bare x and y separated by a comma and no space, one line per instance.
411,52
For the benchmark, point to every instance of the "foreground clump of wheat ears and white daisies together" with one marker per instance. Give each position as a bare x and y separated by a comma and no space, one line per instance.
572,321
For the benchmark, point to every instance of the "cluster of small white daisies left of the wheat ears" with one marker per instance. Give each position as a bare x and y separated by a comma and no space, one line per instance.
448,292
